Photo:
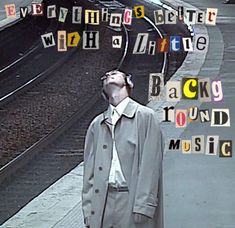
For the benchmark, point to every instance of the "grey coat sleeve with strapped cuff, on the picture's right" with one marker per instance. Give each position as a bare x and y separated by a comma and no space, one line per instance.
146,196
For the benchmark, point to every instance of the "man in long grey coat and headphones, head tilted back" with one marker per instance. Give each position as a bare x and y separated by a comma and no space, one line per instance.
122,185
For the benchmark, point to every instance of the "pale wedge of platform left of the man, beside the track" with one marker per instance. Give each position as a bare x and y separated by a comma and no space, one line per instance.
58,206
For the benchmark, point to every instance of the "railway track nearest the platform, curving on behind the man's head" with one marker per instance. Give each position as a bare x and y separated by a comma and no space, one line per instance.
58,152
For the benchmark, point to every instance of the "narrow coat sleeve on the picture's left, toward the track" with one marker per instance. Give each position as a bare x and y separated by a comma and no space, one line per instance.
88,177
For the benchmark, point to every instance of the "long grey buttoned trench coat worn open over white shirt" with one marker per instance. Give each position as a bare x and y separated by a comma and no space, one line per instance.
139,145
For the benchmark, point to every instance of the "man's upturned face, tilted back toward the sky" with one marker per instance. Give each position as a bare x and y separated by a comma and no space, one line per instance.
114,77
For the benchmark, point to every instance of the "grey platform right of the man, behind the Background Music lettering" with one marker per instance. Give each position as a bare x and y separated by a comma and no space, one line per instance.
198,189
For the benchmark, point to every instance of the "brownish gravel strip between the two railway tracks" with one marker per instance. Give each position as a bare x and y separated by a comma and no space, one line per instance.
44,106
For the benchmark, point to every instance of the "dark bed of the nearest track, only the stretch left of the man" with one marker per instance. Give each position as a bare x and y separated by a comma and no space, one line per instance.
47,164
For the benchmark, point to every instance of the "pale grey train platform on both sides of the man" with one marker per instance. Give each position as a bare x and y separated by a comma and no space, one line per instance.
198,189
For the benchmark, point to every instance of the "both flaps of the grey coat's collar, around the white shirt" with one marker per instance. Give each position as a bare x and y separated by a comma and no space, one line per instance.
129,111
